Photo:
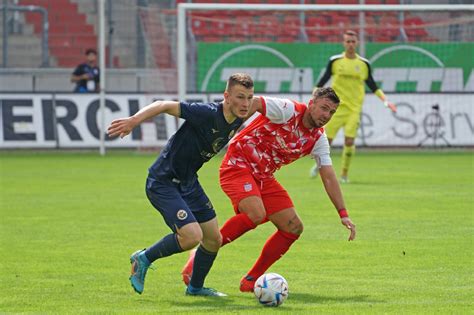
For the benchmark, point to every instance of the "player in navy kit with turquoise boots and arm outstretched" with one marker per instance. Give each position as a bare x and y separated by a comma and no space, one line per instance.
172,185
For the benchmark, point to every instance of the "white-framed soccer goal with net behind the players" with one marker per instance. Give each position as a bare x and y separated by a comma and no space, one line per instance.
419,54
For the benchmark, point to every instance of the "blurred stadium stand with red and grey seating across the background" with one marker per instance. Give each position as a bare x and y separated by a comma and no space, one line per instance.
142,34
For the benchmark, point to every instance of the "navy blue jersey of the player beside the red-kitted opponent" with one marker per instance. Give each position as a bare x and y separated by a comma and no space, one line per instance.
204,133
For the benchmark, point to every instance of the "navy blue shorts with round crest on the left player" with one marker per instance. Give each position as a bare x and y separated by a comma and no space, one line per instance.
179,204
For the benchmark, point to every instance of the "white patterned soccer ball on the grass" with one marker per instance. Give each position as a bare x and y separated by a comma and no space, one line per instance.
271,289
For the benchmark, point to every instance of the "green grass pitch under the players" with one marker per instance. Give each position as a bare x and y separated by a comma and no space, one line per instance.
69,222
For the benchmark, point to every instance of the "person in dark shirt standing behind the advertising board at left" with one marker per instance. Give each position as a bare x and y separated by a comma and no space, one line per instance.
86,75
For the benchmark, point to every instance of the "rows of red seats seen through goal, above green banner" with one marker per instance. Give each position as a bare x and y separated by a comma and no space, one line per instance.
214,26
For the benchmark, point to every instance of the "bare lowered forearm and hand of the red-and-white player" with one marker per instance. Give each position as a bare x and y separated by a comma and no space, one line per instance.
329,178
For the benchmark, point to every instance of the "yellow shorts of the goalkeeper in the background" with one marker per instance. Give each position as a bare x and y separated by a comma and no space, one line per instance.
343,118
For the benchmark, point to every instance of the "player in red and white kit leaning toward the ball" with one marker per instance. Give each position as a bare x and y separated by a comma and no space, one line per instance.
286,131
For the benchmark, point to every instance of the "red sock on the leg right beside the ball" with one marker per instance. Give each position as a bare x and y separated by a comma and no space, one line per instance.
275,247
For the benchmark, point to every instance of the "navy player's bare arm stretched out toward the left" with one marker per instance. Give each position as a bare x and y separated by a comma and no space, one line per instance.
123,126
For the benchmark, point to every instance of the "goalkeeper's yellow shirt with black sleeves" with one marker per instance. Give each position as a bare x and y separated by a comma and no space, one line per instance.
348,79
